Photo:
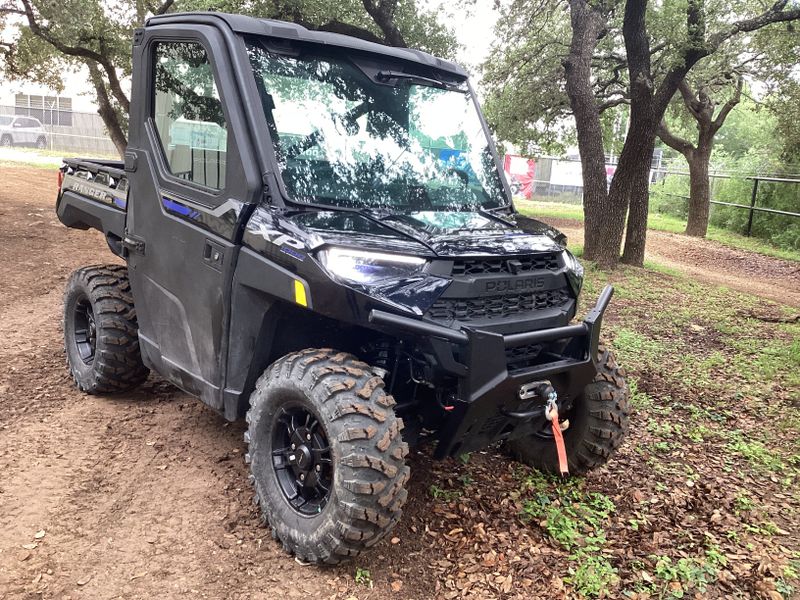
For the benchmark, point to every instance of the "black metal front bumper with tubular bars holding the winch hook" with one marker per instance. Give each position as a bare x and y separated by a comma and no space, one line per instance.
488,407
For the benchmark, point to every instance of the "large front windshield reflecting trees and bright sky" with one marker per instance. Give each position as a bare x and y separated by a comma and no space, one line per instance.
344,139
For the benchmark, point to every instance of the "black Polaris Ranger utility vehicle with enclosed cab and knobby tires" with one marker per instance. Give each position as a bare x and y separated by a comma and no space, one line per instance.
318,237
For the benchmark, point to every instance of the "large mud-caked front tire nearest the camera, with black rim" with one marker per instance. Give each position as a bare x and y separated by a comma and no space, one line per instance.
326,455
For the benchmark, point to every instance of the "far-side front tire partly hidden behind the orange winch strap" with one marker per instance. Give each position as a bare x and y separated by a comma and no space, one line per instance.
598,424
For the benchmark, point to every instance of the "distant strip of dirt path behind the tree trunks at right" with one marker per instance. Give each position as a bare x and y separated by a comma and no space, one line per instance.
708,261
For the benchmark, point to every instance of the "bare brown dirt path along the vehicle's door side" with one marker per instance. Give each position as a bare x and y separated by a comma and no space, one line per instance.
138,496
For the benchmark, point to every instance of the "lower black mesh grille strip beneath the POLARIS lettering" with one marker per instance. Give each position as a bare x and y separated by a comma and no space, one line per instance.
495,307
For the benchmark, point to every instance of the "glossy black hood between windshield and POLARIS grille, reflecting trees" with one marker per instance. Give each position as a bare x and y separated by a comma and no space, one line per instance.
424,232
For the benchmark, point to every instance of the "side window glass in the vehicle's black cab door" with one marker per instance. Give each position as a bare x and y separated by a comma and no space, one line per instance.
188,114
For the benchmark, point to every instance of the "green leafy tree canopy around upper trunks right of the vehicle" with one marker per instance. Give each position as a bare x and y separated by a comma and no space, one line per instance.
527,102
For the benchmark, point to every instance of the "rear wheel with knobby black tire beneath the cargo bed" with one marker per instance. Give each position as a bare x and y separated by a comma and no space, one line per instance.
101,332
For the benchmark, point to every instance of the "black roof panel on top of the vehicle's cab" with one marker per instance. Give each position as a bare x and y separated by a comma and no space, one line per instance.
292,31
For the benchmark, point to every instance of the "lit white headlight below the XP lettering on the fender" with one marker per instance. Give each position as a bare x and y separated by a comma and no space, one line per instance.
364,267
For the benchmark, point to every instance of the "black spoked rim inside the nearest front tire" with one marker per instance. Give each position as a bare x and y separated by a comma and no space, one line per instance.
302,461
